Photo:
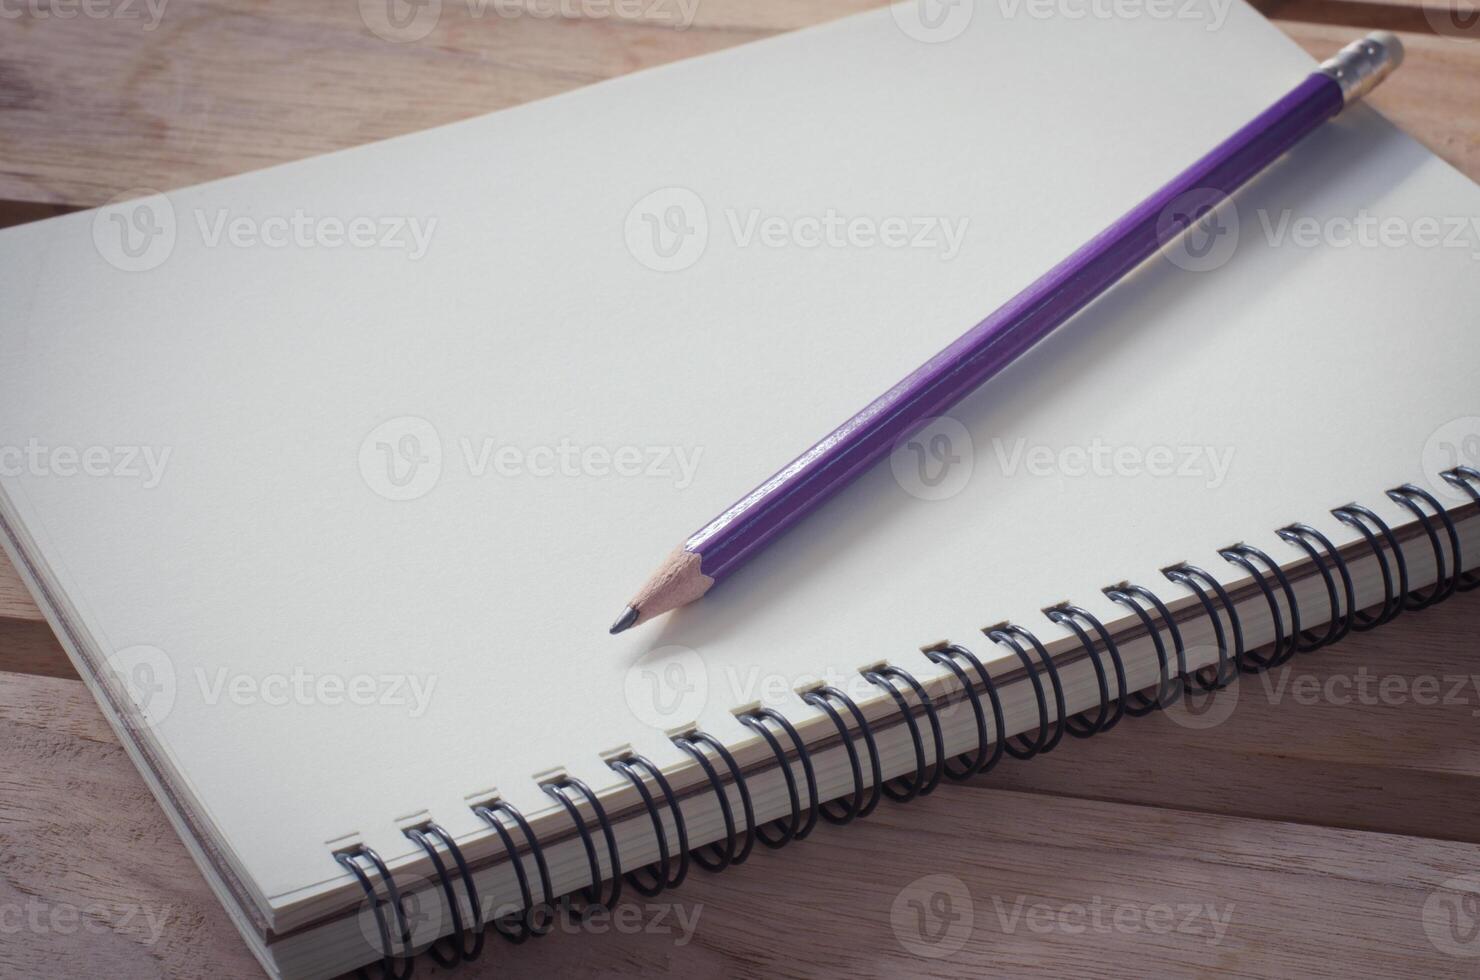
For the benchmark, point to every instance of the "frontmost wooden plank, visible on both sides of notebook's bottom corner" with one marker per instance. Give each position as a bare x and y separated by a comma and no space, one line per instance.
97,883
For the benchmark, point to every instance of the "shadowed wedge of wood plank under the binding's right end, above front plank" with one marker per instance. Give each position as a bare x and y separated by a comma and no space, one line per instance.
1377,732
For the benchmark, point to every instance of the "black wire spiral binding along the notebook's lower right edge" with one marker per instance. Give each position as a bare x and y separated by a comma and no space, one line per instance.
856,735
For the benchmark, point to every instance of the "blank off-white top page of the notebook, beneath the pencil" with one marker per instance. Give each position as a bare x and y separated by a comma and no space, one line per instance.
272,547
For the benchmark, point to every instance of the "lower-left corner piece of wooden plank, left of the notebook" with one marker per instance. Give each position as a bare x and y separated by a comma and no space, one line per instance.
95,882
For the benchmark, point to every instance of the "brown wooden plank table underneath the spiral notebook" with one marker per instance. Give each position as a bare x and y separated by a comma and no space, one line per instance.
1308,834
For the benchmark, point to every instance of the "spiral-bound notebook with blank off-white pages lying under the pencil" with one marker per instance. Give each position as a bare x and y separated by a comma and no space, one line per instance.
331,477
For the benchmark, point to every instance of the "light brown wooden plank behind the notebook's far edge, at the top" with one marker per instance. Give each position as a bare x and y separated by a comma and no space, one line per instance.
97,107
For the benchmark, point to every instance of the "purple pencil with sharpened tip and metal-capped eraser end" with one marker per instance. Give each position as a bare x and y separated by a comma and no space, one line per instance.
721,547
